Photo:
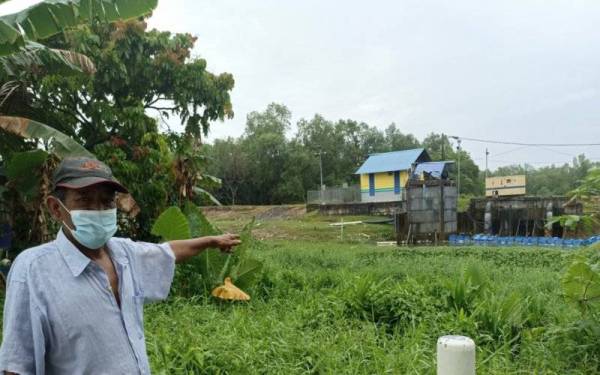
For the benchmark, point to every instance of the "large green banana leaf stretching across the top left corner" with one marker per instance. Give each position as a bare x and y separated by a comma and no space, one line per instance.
51,17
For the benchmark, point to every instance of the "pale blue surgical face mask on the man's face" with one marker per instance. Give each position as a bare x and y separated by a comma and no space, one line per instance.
93,228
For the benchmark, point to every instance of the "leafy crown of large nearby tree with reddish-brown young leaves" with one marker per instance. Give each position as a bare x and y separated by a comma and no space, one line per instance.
138,71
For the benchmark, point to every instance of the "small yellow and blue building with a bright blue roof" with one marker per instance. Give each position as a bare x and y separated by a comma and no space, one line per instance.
383,176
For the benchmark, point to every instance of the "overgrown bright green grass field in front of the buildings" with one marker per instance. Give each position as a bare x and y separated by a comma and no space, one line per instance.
331,305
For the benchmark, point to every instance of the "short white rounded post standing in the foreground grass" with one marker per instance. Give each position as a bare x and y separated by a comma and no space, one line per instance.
455,356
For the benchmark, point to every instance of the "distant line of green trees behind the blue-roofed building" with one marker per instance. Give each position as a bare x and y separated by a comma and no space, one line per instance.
266,166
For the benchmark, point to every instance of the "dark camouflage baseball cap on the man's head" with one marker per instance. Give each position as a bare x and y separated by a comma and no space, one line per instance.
80,172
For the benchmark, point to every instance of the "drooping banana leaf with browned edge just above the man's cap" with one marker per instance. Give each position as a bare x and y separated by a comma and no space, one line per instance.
61,144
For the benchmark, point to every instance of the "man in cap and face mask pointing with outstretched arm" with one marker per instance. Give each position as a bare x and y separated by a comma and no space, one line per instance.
74,305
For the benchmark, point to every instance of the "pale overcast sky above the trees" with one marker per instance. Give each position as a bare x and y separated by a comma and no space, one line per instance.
525,71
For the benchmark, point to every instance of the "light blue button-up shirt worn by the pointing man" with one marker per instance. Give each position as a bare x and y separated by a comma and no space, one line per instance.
61,317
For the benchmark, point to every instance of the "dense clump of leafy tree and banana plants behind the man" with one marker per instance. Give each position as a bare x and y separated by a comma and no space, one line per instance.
110,83
